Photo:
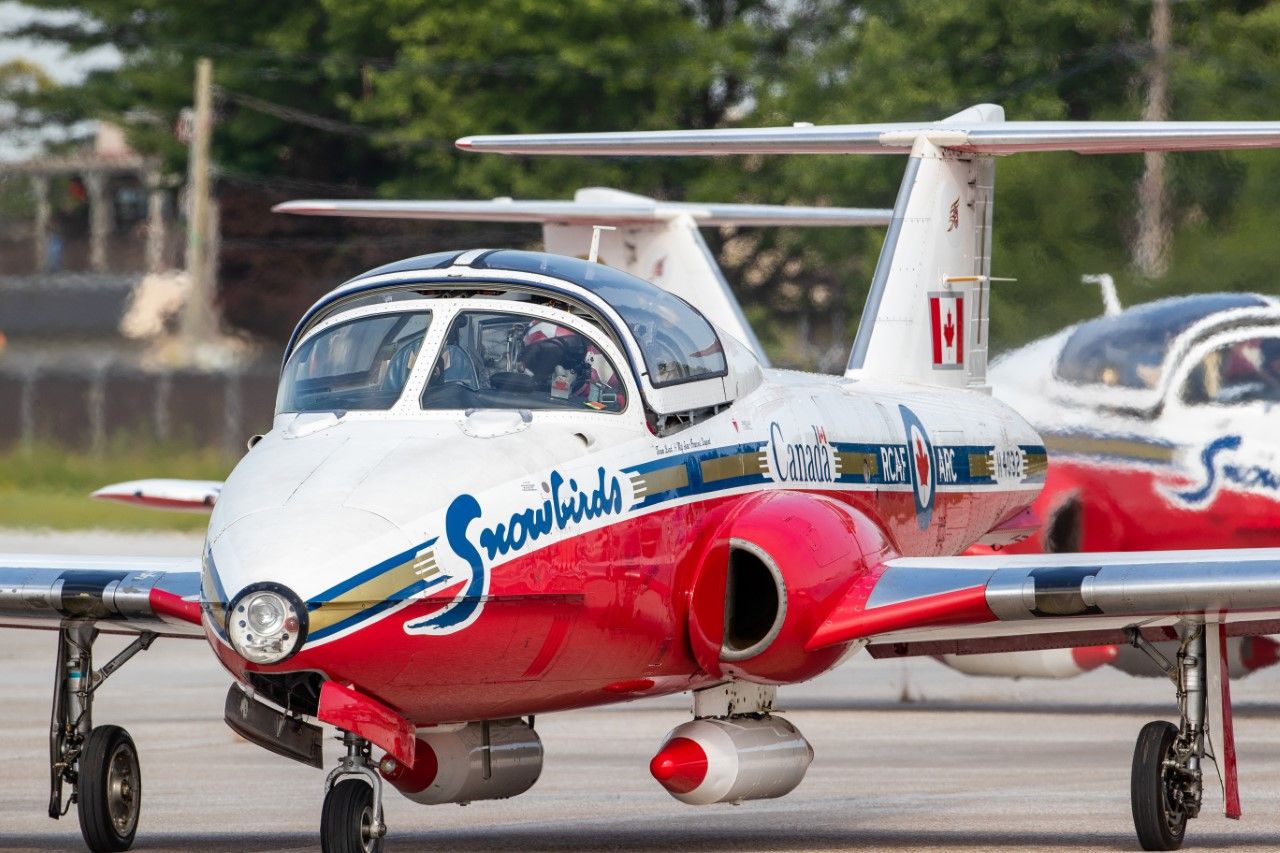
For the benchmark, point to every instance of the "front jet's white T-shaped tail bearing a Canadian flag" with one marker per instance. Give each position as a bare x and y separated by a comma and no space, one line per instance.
926,314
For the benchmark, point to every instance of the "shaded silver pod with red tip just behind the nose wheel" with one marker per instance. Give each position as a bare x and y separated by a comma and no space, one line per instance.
492,760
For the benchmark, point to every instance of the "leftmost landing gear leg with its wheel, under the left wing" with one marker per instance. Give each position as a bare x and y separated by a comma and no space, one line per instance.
99,764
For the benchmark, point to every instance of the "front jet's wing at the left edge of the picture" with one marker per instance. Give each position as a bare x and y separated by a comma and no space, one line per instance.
159,595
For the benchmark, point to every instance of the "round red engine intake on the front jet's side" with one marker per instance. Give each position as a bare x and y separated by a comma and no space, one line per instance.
769,578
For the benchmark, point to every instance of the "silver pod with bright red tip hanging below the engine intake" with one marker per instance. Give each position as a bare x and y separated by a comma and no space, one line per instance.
728,761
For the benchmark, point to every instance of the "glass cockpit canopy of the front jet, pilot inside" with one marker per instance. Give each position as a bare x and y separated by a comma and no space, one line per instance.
505,330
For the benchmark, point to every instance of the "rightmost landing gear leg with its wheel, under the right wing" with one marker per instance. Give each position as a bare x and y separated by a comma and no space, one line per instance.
1167,784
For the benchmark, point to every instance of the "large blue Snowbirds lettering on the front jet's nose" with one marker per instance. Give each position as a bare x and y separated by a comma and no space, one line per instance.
557,513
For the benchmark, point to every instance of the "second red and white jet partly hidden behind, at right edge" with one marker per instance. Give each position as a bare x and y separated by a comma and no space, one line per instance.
1158,421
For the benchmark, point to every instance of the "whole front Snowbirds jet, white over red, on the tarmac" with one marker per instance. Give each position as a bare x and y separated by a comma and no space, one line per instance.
450,530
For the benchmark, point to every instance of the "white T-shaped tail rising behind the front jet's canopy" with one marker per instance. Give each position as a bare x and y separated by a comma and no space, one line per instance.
655,240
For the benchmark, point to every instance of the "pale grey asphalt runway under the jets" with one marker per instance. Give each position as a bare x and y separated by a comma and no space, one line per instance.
911,756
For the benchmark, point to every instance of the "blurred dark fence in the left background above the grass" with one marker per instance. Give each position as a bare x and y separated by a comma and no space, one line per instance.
88,409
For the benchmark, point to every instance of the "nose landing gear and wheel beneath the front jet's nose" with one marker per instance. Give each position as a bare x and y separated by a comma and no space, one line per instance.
351,820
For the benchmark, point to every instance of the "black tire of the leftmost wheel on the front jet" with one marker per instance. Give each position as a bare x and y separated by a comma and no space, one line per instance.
109,790
